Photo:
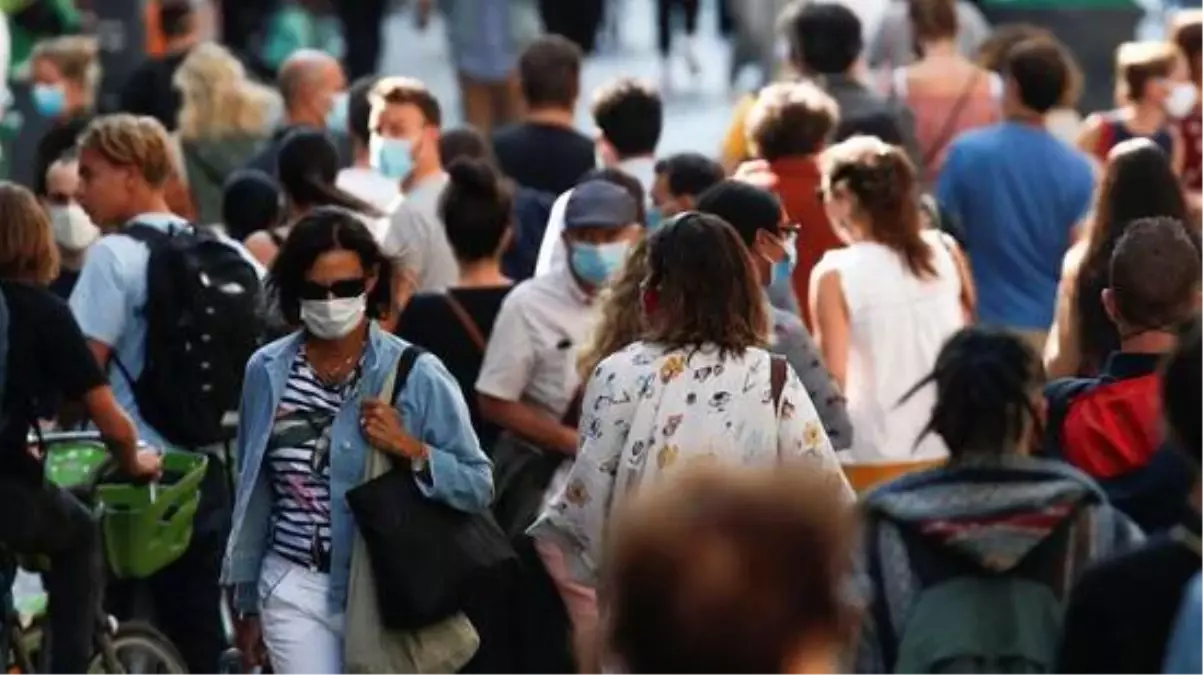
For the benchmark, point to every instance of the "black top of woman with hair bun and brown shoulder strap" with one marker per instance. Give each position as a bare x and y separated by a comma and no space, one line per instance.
430,323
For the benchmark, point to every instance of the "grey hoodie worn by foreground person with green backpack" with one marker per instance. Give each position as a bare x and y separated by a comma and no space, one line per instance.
980,517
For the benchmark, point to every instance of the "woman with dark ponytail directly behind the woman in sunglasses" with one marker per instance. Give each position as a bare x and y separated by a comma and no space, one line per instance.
309,175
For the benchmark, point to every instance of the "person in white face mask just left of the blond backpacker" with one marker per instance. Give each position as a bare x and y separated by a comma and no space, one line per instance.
74,229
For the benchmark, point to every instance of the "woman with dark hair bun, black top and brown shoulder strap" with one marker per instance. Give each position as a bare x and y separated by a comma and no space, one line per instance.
455,325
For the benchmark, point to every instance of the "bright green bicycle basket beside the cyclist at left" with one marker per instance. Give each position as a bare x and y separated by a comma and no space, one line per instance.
146,528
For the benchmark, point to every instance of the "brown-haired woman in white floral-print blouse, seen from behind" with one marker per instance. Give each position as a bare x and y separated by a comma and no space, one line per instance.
698,387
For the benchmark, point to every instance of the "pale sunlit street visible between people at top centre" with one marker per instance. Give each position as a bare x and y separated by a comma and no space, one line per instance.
696,119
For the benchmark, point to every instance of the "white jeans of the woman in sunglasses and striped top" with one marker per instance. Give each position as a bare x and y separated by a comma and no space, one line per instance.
303,636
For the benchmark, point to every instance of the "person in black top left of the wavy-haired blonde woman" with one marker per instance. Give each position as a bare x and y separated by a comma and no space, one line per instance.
151,91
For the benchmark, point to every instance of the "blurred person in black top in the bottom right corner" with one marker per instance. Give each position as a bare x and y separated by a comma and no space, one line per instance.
1122,613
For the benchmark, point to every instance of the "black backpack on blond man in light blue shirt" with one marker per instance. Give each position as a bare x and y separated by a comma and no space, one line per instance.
204,319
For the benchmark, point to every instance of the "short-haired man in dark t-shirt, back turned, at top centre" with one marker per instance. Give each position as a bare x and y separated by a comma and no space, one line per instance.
544,152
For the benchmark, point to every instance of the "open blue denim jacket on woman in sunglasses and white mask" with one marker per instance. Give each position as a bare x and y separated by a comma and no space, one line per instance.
434,412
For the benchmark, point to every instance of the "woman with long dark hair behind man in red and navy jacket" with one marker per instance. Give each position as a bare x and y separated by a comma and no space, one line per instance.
1139,183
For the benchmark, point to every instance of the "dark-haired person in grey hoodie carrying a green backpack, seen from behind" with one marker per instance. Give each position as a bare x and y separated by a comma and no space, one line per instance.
981,544
